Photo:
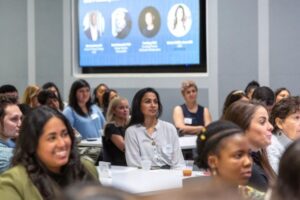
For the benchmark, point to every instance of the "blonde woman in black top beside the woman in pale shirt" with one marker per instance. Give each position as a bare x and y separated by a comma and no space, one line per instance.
114,132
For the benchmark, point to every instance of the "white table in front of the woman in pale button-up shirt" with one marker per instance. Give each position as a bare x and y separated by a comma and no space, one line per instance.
140,181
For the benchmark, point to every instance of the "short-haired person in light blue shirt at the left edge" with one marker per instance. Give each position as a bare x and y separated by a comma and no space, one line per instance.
10,122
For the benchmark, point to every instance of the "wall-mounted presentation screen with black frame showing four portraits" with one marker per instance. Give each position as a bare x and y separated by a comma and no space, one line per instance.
141,36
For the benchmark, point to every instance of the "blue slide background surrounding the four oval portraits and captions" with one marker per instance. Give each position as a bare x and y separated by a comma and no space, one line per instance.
184,54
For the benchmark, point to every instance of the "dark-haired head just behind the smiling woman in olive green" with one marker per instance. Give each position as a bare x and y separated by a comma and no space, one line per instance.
48,98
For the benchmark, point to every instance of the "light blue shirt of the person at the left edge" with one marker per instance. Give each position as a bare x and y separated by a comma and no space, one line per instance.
6,153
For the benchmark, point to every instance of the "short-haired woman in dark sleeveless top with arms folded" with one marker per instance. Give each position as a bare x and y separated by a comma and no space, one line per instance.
190,117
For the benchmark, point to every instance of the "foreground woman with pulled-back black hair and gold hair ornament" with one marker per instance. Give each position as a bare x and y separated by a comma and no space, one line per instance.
224,150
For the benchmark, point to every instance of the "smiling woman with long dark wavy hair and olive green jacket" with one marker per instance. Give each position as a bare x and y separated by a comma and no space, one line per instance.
45,159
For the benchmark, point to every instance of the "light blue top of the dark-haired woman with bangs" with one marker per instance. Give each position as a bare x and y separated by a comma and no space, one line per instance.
88,127
